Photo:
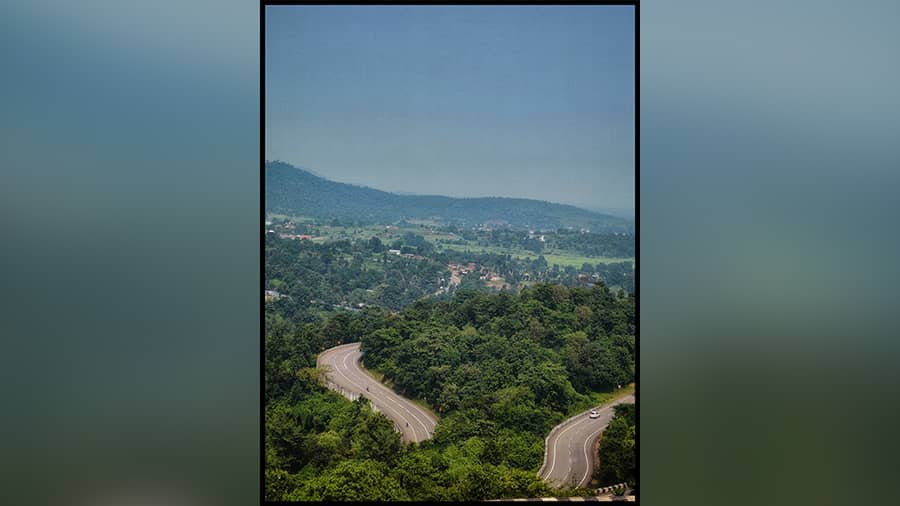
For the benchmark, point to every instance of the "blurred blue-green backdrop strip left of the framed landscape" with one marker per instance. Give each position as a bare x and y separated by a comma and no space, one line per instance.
130,218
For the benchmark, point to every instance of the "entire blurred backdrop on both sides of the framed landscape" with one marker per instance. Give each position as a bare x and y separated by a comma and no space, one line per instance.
130,229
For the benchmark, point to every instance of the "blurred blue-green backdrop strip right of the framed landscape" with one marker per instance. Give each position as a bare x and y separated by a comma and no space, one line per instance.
768,246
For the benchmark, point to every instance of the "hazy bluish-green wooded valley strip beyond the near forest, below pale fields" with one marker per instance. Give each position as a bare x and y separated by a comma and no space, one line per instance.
315,279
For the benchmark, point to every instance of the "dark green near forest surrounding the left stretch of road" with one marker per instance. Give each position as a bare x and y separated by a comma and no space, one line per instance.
500,369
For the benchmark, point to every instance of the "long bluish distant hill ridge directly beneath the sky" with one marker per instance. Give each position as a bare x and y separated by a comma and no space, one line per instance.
294,191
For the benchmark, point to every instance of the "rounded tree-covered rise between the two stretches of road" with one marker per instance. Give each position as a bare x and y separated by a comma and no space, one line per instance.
555,341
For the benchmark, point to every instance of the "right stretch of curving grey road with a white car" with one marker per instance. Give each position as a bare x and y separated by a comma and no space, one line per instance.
570,456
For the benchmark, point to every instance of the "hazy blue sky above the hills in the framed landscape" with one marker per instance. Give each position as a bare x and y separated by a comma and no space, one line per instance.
534,102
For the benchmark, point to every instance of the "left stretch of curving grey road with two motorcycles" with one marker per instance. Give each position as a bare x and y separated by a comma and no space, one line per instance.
345,375
